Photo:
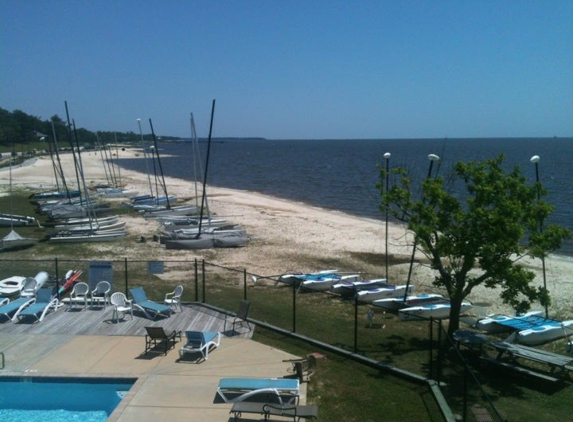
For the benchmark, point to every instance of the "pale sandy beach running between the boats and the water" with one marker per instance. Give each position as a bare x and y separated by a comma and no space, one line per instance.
286,236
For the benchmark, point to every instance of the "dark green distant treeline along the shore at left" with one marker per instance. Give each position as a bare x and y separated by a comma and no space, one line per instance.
19,128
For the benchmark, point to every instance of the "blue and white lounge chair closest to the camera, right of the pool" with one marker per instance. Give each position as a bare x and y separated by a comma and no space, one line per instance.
238,389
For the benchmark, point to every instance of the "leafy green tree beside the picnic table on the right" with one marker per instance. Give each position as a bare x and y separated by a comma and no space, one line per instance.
497,224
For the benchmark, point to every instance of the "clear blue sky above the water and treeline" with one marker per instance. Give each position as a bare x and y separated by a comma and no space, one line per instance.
296,69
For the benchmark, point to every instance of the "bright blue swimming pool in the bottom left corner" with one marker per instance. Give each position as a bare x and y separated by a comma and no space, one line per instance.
64,399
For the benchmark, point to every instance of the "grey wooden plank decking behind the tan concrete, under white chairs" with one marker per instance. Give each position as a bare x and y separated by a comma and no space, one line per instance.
98,321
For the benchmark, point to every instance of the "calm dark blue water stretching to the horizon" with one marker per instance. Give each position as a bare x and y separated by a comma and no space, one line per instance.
342,174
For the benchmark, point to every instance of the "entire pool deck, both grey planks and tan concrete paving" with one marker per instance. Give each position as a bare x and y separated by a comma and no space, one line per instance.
167,388
